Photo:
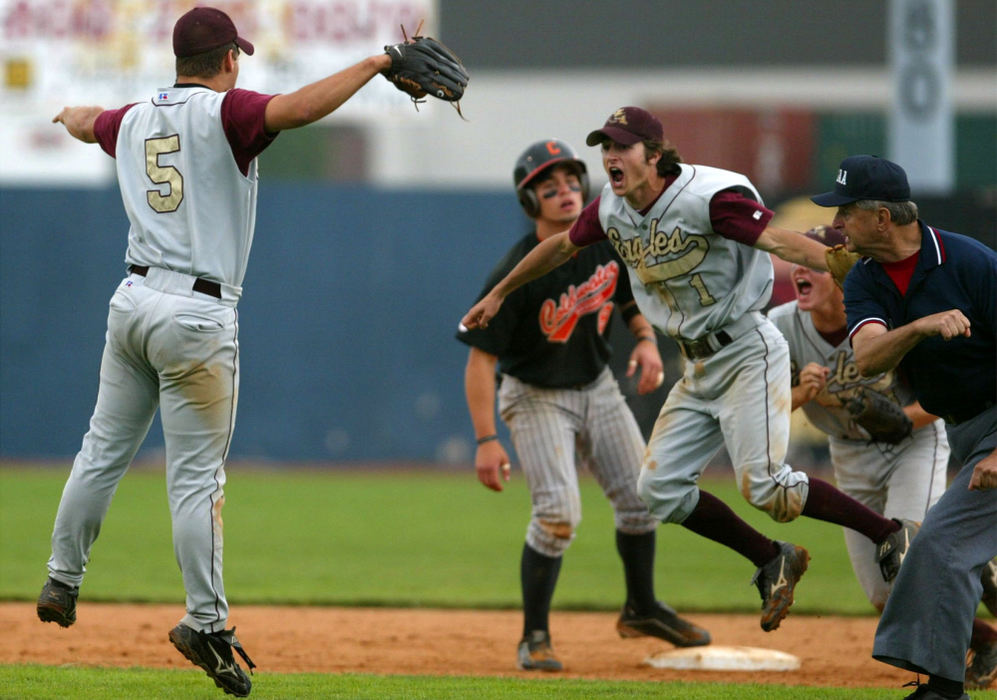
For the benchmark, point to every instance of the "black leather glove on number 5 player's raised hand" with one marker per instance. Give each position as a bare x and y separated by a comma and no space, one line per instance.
422,66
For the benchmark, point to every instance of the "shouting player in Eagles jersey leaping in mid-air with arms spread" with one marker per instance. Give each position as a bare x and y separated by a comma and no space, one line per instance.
695,242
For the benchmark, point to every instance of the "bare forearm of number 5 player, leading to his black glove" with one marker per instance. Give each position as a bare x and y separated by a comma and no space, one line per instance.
316,100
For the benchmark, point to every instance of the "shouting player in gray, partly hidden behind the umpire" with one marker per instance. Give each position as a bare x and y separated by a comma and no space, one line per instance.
901,480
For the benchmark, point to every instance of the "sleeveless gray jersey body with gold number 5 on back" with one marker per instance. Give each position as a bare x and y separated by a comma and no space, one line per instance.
191,209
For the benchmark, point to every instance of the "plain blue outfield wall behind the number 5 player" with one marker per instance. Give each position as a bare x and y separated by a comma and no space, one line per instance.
347,320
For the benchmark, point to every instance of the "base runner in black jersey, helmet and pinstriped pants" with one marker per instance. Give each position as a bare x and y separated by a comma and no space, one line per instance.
564,408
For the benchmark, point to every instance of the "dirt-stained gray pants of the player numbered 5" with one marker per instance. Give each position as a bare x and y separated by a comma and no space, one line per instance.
177,351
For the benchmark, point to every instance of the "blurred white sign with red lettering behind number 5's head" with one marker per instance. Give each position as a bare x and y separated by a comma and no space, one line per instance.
112,52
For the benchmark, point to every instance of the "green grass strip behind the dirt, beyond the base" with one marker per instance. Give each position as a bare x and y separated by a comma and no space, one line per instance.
393,538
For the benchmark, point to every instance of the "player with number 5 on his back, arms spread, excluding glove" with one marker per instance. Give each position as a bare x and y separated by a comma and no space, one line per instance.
187,170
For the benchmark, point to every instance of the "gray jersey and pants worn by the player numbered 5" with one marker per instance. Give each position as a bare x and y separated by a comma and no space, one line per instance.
171,345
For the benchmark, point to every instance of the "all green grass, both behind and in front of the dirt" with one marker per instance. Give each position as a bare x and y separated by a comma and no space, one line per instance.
390,538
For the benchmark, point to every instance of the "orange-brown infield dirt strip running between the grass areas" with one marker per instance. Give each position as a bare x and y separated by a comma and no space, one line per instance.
834,651
